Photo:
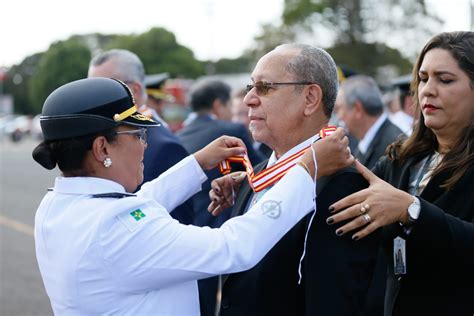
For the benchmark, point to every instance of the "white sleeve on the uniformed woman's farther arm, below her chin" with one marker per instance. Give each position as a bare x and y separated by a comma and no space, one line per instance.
175,185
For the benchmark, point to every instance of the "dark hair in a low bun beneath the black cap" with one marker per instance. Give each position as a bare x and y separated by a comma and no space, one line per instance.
68,154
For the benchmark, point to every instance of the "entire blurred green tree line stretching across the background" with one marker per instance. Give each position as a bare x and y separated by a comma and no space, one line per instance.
362,35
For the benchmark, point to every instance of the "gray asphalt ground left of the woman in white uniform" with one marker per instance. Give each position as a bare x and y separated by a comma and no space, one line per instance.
23,183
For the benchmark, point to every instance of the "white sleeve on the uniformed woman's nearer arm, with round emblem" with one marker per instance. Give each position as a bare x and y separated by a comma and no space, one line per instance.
160,252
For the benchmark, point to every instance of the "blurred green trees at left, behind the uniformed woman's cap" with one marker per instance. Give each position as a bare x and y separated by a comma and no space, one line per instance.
38,75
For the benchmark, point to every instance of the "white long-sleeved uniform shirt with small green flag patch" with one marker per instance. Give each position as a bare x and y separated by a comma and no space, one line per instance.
127,256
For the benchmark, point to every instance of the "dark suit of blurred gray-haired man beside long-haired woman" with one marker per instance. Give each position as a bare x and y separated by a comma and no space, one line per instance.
386,135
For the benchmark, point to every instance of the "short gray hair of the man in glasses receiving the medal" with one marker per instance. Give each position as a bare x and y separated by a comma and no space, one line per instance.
314,64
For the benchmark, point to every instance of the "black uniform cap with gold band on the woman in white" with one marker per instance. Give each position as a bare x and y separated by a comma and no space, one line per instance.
89,106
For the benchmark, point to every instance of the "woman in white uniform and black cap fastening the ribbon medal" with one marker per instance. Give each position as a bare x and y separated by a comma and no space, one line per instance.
103,250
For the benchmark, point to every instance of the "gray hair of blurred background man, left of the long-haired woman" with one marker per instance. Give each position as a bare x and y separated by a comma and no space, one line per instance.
364,89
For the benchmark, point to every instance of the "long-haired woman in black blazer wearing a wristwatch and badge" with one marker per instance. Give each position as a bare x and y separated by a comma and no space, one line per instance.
427,206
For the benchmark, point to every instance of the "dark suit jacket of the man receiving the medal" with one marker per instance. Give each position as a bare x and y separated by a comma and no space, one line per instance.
336,270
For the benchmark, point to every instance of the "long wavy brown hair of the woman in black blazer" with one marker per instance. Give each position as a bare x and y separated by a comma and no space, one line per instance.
423,141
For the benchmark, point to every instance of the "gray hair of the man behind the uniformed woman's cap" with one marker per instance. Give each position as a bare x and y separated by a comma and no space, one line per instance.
129,66
